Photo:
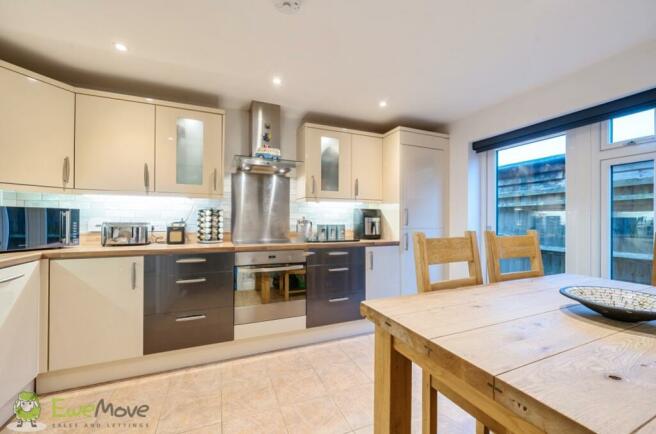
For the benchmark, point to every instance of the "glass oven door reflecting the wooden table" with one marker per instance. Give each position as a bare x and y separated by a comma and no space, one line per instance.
269,292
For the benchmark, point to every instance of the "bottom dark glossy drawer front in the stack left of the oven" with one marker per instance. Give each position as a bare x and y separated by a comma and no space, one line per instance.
173,331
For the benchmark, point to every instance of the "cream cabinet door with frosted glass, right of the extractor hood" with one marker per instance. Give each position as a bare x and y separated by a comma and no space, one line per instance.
328,164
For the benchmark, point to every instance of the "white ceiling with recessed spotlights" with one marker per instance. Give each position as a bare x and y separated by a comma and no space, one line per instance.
433,61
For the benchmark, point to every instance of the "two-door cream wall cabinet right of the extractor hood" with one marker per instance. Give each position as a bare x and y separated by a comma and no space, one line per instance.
339,164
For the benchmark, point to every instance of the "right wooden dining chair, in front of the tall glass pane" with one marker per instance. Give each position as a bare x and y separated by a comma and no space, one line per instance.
513,247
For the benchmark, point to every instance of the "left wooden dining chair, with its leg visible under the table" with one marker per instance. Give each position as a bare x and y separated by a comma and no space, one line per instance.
437,251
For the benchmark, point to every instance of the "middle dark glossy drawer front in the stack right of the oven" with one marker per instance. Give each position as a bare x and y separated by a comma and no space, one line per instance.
330,281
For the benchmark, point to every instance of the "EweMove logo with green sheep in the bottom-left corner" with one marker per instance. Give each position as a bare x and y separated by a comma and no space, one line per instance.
27,409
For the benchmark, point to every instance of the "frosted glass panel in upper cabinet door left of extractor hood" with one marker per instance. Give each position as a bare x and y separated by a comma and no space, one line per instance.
189,151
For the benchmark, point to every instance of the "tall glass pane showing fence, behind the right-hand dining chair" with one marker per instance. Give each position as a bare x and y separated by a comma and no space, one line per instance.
530,194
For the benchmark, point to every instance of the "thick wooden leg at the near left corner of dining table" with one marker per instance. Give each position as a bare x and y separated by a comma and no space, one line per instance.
392,387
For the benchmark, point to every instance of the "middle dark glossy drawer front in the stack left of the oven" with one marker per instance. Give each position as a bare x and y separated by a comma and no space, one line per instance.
167,294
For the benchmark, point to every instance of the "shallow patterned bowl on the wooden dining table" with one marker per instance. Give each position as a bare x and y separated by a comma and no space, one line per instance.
616,303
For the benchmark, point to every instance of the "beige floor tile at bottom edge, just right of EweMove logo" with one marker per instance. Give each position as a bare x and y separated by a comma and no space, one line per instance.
184,413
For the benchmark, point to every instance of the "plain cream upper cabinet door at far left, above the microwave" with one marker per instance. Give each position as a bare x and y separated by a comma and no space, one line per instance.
37,121
